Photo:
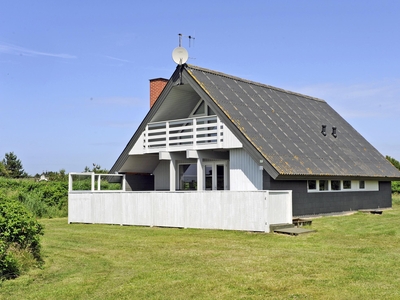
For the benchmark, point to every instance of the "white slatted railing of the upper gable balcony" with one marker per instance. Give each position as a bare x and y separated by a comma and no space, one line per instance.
195,133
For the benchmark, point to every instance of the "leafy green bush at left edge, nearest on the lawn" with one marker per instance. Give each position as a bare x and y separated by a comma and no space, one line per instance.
19,238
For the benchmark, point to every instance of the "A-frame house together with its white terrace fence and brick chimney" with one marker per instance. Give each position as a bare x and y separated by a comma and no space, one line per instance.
218,151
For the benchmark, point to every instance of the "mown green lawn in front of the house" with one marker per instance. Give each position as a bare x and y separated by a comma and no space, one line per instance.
349,257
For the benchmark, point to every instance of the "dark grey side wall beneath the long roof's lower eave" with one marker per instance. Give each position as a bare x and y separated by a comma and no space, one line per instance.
305,203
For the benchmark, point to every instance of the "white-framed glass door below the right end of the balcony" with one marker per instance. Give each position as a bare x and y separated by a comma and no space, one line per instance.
216,175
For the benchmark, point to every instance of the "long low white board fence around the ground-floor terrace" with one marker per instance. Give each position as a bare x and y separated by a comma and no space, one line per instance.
228,210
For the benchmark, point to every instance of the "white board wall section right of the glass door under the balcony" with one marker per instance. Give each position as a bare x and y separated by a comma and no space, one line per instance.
244,172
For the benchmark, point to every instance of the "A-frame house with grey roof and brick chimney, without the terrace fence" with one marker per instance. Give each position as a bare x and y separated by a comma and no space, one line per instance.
212,131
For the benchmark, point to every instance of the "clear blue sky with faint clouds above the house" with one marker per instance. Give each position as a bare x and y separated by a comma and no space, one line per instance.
74,75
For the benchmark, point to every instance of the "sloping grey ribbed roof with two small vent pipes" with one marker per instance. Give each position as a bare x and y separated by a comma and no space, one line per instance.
285,128
